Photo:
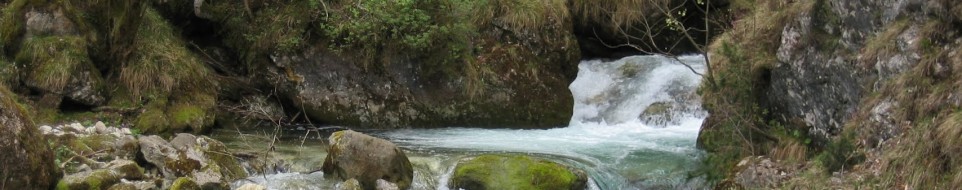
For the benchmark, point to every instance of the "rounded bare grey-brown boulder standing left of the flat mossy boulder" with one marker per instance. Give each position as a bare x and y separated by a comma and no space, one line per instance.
367,159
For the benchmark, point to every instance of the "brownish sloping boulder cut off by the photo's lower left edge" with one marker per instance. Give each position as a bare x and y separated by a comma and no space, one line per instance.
27,160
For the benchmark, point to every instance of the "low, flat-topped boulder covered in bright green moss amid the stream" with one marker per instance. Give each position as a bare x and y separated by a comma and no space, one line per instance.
515,172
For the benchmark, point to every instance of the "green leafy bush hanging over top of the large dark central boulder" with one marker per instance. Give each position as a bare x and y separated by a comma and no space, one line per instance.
416,28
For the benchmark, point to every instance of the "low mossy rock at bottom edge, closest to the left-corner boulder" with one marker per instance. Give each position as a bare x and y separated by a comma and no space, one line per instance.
97,179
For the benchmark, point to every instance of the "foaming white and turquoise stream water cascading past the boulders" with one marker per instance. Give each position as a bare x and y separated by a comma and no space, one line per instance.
610,135
